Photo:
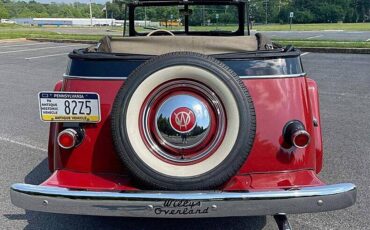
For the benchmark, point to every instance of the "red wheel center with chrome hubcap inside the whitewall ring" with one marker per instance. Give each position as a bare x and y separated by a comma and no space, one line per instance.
183,121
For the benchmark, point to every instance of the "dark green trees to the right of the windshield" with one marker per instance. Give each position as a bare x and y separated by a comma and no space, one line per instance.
308,11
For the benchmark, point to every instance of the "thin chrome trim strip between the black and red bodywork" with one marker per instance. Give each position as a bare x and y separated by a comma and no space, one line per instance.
241,77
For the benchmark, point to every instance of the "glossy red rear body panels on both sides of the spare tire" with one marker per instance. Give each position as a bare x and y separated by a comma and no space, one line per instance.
95,165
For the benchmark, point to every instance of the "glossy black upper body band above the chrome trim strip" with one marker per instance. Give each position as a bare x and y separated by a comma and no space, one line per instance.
243,64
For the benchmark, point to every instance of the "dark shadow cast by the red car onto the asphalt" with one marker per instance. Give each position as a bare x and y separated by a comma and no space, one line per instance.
39,220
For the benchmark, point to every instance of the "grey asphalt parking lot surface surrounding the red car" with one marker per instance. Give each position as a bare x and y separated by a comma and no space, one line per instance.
29,67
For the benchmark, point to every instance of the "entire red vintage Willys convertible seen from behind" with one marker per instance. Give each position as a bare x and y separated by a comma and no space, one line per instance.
194,122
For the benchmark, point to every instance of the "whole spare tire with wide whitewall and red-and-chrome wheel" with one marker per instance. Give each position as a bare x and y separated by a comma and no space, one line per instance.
183,121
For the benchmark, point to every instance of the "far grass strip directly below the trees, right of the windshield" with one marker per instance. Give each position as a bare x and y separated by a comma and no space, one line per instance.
315,27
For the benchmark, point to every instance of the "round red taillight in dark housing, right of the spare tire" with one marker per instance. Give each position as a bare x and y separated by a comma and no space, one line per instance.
295,134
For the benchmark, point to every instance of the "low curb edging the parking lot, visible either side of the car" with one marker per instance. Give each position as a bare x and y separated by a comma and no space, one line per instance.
304,49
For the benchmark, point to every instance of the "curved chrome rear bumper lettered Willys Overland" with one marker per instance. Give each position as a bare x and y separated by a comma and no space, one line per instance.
183,204
